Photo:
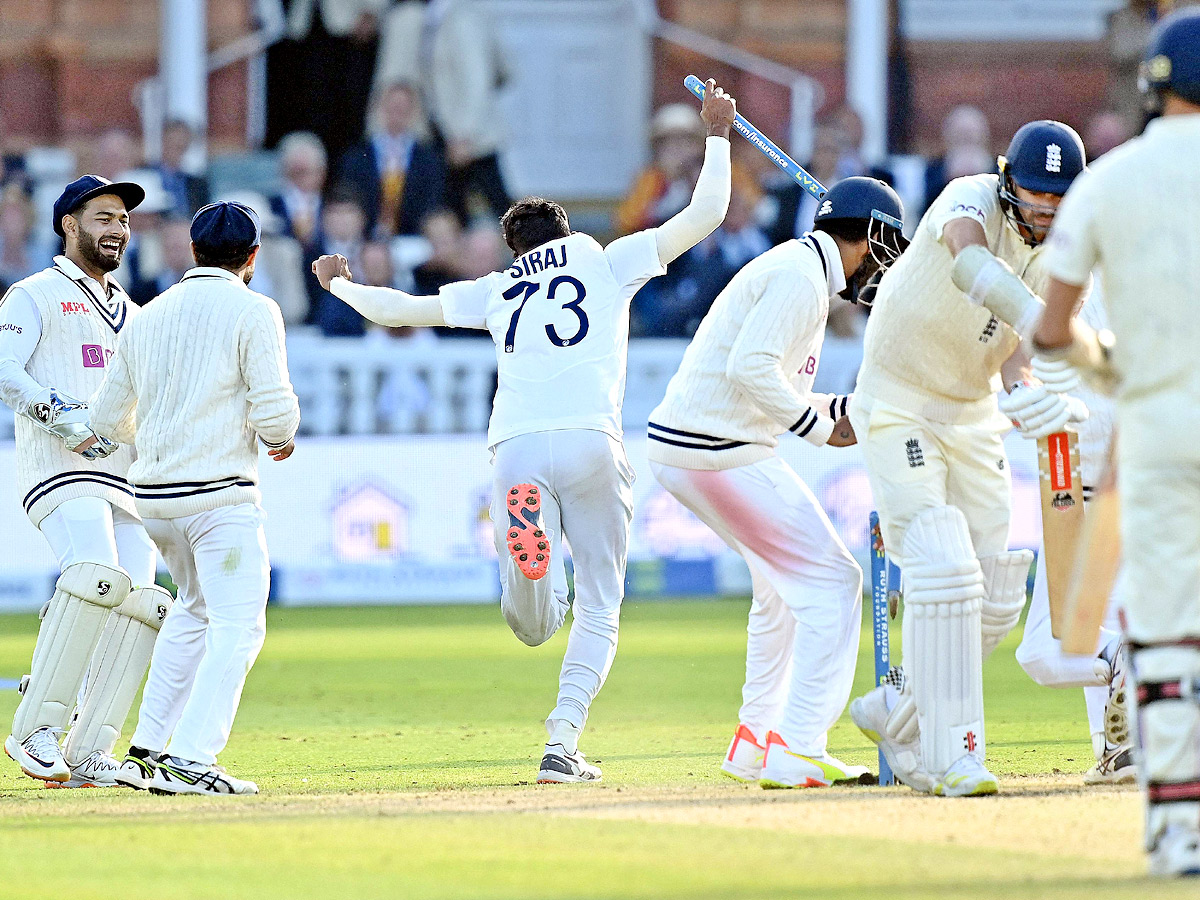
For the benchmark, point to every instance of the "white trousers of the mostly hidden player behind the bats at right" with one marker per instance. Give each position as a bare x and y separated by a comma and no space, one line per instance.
1043,661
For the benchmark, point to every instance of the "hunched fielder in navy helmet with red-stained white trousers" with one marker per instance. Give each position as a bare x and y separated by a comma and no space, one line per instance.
746,379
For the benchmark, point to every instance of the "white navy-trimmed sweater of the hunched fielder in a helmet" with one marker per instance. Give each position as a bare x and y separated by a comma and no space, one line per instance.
747,376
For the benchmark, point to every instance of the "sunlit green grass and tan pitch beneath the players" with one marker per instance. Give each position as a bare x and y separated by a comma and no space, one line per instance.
397,748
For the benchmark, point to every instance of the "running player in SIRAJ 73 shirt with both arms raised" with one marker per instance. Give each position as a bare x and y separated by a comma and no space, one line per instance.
560,317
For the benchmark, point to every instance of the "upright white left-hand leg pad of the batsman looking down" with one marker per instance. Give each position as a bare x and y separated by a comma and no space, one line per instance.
943,644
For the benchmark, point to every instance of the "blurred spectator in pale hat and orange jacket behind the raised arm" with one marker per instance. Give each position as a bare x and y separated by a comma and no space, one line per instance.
677,146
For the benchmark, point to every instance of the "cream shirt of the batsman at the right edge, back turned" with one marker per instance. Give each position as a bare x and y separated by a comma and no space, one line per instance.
1135,217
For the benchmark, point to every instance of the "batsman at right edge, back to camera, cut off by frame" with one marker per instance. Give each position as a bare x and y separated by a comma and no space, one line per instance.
1135,218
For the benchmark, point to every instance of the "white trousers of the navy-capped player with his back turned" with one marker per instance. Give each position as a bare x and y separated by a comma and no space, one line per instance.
213,634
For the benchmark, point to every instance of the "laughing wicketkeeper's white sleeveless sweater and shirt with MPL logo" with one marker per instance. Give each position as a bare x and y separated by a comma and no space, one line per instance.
59,329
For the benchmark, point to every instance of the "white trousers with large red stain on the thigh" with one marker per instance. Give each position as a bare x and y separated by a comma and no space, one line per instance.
808,595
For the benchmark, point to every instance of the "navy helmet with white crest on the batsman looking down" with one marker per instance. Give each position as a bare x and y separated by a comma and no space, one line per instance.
1045,158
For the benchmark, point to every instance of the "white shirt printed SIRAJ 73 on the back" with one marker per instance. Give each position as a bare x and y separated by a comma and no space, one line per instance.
560,317
